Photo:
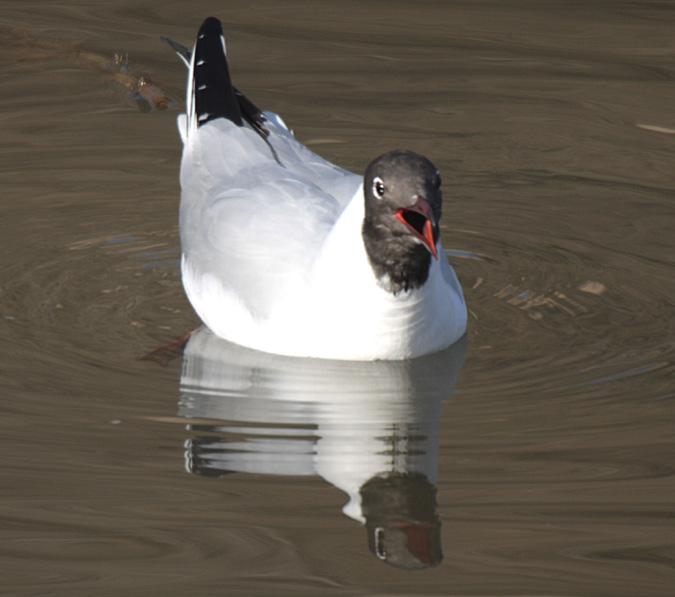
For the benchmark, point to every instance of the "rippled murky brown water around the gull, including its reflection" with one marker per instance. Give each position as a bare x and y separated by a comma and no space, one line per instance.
547,468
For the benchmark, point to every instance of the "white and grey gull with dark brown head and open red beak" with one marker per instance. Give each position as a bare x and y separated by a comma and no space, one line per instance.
287,253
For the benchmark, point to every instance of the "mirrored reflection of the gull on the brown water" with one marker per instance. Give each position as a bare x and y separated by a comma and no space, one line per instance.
368,428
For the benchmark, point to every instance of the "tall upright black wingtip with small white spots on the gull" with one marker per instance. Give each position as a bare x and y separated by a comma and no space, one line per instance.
214,95
